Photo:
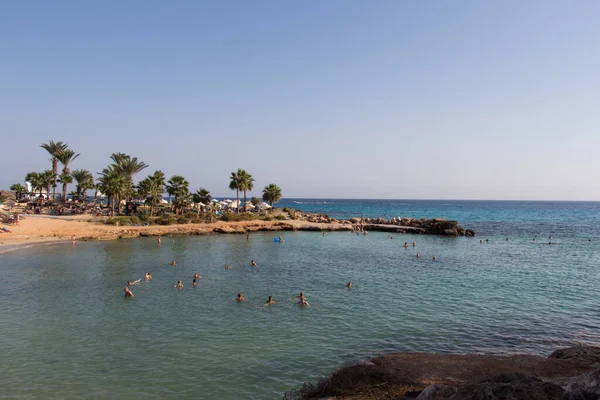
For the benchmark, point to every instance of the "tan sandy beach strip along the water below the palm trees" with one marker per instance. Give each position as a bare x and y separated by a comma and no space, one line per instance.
41,229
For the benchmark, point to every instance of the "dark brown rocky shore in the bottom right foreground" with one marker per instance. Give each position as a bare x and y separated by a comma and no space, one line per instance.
570,374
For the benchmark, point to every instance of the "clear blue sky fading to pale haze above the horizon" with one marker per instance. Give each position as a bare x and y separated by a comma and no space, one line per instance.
332,98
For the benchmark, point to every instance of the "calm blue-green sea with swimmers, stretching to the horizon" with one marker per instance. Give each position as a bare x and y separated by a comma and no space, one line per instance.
528,282
